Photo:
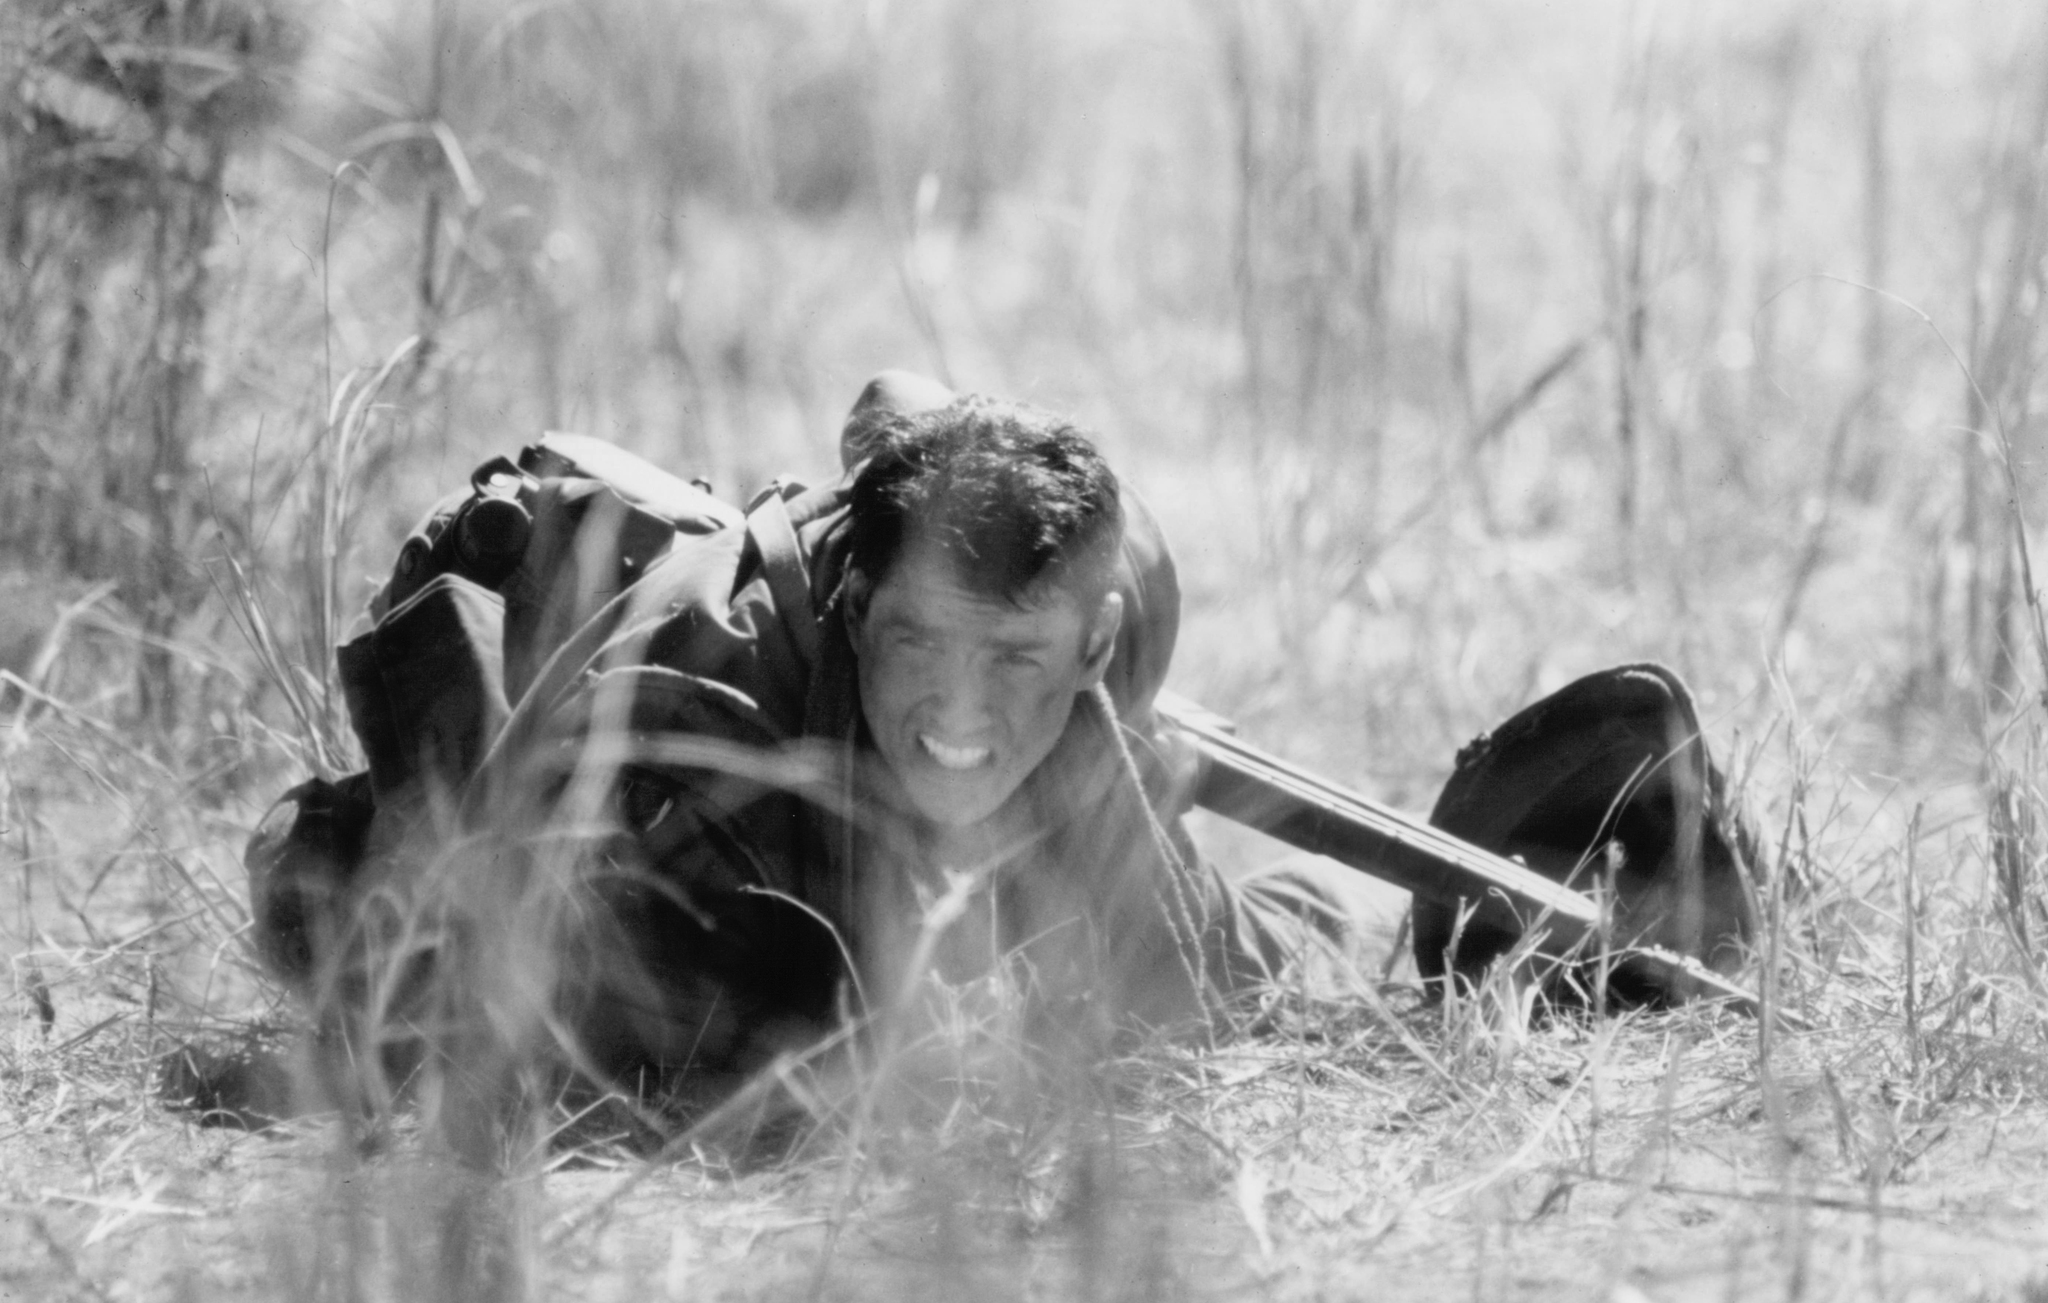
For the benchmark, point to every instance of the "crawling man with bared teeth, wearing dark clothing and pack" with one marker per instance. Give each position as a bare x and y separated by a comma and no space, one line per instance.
728,777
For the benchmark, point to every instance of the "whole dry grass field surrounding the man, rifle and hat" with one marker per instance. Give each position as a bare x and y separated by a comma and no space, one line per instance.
1459,353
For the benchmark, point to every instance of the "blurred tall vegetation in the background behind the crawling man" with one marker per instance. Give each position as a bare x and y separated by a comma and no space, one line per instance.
1461,349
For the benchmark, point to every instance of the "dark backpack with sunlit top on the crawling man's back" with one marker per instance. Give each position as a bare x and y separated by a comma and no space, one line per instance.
482,595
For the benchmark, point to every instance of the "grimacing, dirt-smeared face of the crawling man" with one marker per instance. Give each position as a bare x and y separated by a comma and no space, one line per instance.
966,693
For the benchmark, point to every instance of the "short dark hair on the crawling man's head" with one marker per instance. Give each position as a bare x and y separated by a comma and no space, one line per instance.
1015,497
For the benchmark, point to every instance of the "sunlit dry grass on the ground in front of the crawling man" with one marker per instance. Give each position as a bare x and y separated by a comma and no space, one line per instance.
1357,1144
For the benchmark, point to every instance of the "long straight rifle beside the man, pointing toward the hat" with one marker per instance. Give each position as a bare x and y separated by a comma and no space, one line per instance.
1314,814
